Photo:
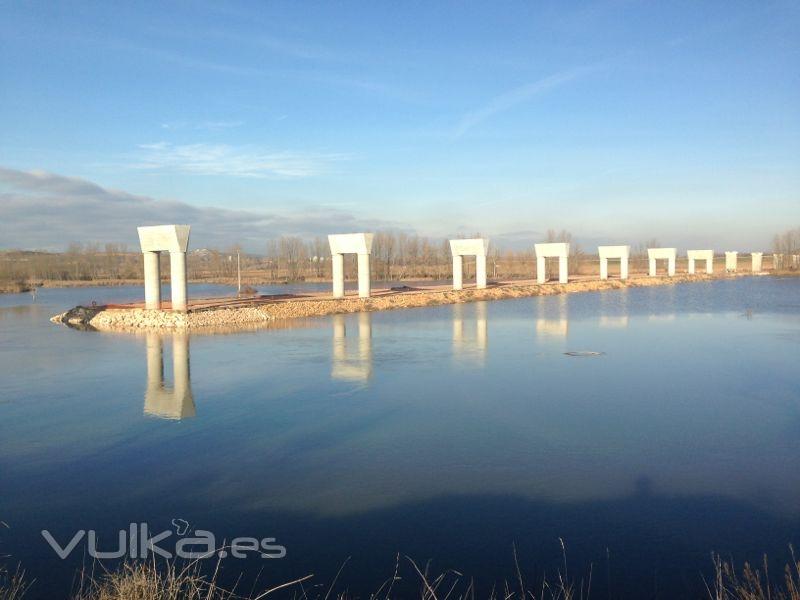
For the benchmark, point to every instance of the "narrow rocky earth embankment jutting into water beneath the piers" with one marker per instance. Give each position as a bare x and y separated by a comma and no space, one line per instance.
266,311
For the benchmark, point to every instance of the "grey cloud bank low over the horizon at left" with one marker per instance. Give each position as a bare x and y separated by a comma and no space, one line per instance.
83,211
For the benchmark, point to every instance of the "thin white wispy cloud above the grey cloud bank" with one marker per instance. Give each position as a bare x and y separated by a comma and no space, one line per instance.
233,161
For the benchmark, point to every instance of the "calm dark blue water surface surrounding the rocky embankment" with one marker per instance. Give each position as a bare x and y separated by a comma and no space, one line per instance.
449,433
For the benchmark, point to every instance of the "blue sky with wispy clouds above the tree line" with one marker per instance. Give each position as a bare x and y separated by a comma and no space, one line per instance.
619,121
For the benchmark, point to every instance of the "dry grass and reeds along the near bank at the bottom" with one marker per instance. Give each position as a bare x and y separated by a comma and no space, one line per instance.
151,581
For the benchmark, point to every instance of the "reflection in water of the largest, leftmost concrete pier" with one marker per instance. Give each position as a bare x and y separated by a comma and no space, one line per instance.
159,400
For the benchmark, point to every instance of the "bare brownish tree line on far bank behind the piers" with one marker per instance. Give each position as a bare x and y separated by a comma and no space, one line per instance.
396,255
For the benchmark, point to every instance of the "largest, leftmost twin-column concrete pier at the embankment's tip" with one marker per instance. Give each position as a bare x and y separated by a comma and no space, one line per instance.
174,239
